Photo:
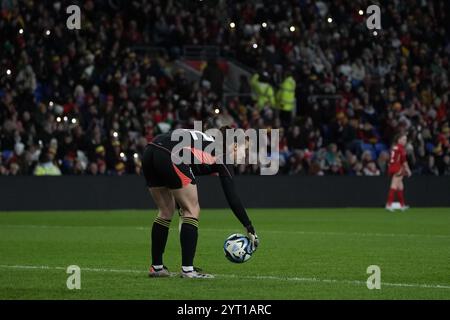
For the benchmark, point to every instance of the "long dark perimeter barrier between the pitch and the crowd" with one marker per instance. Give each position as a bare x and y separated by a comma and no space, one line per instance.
130,192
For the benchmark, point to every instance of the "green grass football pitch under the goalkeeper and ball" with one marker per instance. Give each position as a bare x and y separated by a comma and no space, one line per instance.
304,254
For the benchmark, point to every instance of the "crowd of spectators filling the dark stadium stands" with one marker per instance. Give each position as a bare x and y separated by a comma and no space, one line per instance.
87,102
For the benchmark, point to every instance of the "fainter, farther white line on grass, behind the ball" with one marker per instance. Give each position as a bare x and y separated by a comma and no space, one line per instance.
329,233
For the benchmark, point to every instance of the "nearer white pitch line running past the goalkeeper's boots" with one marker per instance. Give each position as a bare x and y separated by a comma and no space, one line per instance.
258,277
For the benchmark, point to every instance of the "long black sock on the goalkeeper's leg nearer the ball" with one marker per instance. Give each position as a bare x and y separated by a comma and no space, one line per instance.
188,240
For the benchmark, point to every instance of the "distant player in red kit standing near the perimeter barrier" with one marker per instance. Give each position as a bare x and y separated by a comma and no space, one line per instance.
398,168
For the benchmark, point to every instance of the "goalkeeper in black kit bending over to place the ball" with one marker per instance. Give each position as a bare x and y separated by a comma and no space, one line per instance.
172,184
